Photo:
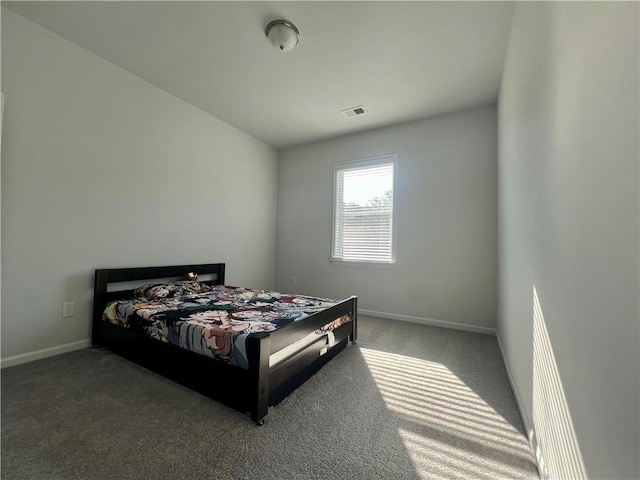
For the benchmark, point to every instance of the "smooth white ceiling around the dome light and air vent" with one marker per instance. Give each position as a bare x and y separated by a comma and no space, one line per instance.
401,60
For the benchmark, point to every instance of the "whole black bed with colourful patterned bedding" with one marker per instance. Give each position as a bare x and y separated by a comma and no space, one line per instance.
248,367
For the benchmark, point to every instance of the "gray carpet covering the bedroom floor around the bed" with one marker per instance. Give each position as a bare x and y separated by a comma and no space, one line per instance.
407,402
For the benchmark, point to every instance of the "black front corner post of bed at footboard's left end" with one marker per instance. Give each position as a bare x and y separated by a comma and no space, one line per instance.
259,346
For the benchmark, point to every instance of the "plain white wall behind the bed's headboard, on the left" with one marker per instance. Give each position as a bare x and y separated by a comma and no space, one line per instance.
101,169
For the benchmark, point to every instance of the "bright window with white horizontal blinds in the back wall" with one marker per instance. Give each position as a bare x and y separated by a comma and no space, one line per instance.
363,211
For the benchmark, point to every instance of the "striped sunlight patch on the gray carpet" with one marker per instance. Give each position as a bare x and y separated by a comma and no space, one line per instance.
447,429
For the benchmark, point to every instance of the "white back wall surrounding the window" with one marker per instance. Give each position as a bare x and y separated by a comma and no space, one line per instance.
446,218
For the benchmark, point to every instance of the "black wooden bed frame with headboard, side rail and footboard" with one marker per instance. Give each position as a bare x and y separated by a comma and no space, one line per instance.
252,390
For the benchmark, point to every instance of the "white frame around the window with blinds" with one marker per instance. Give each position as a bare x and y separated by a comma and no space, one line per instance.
392,159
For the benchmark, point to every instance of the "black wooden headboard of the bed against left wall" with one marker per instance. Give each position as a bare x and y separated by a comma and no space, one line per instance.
106,277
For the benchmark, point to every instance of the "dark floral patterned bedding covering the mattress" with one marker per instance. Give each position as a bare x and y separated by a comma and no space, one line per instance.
216,323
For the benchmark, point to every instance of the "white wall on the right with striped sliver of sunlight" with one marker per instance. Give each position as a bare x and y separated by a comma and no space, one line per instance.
568,216
